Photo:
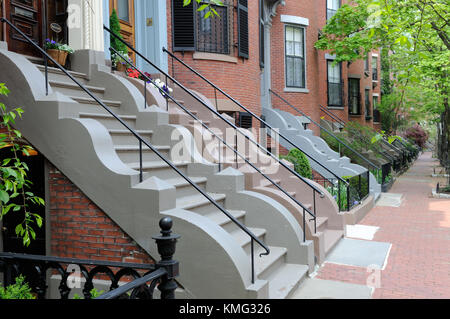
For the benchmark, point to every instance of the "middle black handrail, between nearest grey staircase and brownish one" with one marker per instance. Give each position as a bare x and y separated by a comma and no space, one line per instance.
167,95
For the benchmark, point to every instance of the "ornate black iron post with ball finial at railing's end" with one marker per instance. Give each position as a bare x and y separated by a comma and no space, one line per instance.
166,243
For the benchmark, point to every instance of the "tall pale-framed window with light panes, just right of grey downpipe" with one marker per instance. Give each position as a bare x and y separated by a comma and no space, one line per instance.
295,57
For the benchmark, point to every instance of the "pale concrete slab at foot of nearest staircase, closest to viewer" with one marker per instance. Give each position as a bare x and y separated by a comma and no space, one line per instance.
329,289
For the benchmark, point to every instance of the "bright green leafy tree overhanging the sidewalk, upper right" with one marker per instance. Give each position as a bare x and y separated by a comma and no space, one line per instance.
415,35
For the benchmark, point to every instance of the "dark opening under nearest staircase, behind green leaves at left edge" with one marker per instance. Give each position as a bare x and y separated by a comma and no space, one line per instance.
11,242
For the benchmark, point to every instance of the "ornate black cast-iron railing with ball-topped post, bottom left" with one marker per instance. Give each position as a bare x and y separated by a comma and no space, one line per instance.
71,272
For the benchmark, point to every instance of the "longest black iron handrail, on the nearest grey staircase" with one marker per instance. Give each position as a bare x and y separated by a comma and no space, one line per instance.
143,141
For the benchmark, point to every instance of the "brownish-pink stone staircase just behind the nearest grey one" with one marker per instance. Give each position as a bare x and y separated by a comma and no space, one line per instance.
330,228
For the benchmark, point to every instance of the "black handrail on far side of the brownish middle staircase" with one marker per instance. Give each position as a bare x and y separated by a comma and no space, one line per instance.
263,123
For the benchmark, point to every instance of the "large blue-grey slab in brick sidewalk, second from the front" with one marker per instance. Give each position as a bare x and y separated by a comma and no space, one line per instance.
361,253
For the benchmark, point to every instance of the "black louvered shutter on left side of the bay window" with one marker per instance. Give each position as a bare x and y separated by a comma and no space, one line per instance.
183,26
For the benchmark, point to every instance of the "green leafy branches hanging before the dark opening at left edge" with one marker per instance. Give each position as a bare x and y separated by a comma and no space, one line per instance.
14,194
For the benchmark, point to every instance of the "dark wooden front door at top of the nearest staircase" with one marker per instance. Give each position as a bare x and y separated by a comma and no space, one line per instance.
26,16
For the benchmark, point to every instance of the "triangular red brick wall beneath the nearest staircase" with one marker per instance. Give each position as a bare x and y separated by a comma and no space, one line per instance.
79,229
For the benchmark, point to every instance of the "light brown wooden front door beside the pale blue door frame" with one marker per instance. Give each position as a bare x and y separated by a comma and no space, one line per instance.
125,12
